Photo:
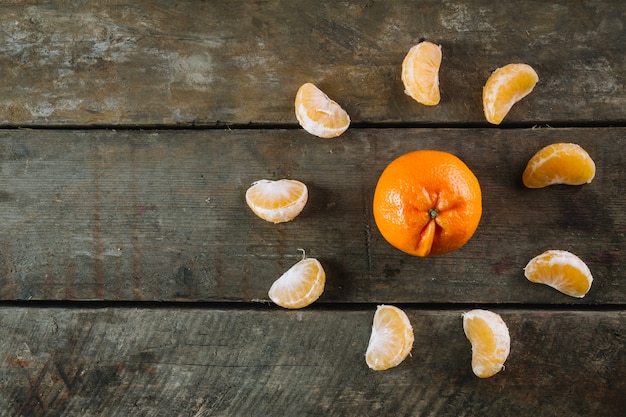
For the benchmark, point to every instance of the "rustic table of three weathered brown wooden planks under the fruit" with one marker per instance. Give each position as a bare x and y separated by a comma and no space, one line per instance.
134,279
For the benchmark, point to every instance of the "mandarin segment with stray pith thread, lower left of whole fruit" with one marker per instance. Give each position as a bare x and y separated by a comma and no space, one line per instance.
300,286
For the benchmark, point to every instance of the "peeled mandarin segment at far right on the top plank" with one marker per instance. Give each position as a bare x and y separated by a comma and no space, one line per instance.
505,87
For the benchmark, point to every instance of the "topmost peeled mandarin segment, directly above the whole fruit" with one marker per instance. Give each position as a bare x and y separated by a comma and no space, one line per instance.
420,73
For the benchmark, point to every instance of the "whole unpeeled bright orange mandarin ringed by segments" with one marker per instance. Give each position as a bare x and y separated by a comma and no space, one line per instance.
427,202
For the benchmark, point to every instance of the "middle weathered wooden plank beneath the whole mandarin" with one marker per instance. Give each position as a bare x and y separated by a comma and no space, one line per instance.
162,216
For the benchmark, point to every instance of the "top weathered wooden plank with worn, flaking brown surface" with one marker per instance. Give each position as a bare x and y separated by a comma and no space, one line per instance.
223,62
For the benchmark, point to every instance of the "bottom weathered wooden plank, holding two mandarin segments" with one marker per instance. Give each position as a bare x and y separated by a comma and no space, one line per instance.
195,362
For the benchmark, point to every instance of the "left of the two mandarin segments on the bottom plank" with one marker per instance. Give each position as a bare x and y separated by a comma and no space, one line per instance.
391,339
